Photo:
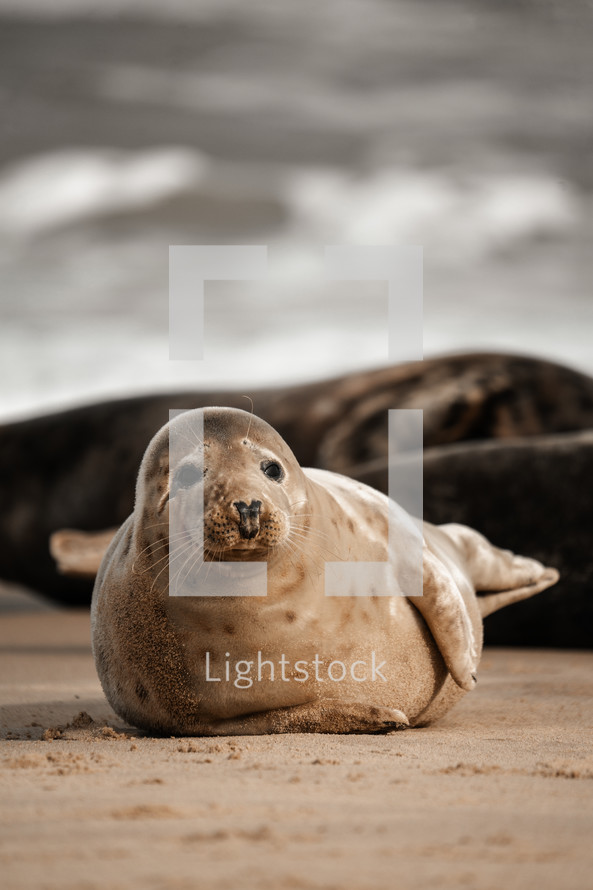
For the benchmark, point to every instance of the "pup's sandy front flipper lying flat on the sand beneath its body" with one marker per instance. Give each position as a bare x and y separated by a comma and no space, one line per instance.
325,715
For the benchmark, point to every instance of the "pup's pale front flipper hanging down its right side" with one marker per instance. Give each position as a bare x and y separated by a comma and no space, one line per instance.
445,612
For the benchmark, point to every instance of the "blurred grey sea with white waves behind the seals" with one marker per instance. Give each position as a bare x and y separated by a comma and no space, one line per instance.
465,128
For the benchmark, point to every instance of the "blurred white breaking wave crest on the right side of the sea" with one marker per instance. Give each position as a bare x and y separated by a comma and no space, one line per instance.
455,217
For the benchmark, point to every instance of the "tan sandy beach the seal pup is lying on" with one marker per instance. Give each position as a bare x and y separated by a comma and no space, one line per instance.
498,794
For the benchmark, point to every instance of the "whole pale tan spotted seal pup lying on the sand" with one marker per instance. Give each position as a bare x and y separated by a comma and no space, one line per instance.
373,663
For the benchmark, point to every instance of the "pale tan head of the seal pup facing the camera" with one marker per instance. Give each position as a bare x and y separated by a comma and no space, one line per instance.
222,479
